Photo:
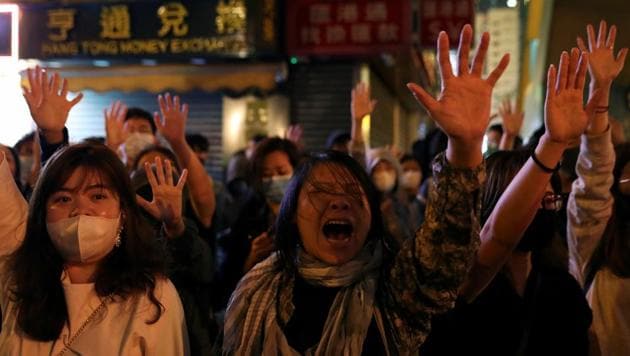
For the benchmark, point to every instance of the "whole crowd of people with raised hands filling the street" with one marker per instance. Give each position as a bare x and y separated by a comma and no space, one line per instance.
123,245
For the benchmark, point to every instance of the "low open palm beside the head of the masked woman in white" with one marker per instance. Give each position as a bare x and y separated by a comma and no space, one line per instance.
166,205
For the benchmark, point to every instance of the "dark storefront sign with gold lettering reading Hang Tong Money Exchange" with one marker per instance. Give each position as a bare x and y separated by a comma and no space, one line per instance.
149,29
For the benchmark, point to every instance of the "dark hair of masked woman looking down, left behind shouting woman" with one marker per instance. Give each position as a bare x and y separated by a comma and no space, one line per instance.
266,147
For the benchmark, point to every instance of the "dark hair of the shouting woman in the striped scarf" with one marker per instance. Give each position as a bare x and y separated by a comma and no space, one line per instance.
346,168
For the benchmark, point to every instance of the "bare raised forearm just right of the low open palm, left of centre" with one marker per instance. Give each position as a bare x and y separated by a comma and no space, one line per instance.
200,183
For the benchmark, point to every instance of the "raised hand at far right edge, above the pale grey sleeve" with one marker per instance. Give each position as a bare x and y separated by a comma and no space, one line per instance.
603,66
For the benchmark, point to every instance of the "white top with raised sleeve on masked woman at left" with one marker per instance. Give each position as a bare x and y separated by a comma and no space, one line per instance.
120,327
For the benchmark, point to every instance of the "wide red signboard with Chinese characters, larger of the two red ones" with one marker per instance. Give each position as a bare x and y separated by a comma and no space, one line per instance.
351,27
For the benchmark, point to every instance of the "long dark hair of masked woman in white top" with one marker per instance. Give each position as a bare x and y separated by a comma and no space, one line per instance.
129,270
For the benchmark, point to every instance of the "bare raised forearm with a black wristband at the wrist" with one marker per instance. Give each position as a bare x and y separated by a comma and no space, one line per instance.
511,216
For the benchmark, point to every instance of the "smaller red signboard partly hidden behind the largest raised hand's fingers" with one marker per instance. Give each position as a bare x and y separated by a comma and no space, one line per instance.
444,15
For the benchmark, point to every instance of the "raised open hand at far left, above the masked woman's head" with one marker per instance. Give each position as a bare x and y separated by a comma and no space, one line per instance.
47,100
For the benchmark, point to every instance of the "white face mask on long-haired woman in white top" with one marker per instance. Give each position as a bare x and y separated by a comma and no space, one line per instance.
84,238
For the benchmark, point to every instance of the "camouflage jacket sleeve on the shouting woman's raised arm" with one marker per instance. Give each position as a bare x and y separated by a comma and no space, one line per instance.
423,277
